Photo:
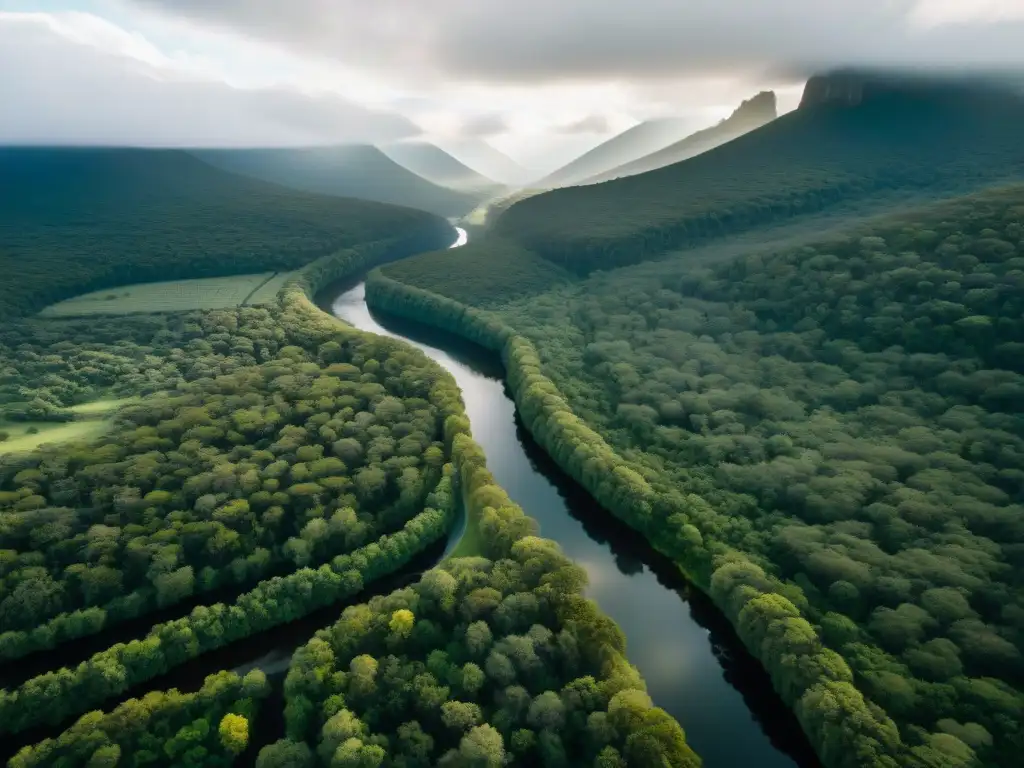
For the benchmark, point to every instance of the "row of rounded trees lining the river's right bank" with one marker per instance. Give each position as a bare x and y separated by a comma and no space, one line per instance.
812,679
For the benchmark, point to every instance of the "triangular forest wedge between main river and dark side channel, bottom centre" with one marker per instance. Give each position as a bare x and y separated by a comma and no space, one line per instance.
488,661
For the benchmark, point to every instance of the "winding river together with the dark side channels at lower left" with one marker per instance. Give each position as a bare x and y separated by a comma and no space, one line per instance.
695,666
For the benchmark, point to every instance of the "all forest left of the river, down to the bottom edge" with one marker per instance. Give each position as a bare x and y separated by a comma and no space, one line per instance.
285,463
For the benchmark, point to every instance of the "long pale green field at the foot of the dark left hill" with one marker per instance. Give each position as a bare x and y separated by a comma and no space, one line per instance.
175,296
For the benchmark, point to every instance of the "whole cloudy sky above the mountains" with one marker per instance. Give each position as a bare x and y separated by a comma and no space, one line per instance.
541,80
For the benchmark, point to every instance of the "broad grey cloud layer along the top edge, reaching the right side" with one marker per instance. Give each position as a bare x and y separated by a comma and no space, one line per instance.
539,40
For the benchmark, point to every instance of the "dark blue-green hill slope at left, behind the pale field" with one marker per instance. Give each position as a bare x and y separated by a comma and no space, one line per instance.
75,221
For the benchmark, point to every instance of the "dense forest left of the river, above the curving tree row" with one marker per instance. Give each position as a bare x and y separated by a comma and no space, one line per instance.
265,450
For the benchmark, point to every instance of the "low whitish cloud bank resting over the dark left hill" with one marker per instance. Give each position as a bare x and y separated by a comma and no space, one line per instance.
82,80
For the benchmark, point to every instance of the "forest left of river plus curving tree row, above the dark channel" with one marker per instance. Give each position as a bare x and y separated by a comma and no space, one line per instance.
277,443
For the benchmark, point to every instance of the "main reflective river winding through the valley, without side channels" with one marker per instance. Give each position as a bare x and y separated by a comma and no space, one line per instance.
696,667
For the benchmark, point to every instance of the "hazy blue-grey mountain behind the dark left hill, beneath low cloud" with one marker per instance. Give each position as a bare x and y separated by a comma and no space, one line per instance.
351,172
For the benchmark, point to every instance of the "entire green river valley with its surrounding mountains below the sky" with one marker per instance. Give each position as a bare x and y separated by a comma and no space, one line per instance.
703,448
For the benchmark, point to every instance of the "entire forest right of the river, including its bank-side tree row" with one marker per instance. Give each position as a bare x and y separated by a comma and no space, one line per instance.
826,437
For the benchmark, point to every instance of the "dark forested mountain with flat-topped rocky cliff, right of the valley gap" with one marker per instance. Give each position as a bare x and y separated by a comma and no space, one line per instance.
884,137
